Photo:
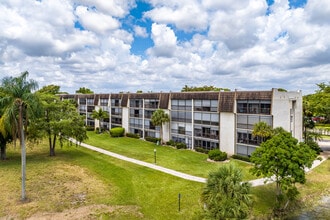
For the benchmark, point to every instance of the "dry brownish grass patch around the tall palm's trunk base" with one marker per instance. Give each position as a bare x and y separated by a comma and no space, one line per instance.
57,190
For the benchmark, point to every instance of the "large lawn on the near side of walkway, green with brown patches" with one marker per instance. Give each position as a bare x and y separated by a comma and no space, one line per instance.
79,177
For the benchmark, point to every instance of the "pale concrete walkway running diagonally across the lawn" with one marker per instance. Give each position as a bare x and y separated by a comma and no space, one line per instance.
256,182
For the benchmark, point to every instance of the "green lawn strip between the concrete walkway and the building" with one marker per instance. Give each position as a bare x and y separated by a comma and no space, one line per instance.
186,161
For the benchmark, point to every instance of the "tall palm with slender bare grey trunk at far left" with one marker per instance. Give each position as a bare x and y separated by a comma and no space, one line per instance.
19,103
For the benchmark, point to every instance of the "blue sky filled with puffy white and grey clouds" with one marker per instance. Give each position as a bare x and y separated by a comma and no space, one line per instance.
162,45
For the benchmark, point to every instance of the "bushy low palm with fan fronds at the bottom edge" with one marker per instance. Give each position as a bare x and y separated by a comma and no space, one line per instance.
225,195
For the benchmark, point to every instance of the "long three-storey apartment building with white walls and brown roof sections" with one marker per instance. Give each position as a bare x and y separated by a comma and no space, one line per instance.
210,120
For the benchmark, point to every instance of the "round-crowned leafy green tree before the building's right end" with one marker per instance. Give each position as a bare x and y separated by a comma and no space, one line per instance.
282,159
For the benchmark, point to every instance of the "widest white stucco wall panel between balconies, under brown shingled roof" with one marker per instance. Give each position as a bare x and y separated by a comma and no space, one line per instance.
227,132
